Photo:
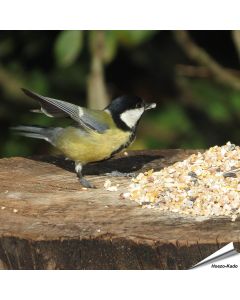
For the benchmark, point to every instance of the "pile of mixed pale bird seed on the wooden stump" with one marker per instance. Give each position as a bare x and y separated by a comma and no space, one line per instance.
205,184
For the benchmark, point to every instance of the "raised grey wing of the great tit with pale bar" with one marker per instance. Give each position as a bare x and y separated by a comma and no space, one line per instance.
58,108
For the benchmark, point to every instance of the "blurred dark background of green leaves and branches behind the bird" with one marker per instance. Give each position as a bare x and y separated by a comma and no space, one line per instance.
193,76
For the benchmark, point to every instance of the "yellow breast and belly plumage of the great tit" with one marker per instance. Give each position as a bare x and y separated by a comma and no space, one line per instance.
92,146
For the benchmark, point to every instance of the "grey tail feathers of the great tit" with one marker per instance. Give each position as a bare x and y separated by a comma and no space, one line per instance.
32,131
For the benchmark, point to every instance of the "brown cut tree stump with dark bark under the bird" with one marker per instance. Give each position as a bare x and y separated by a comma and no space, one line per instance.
47,221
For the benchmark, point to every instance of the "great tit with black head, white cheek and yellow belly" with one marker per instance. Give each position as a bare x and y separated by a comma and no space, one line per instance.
96,135
